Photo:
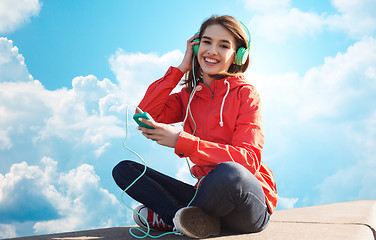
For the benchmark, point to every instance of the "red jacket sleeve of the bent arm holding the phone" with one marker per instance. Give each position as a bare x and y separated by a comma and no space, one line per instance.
246,145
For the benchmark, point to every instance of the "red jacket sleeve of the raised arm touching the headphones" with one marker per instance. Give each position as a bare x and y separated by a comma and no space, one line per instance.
158,101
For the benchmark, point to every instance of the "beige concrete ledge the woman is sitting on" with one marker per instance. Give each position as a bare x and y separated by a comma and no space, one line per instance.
349,220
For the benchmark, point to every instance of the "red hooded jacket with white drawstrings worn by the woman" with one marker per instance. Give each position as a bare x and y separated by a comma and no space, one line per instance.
228,120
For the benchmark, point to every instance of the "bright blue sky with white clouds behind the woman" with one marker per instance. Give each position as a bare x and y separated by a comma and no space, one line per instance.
69,70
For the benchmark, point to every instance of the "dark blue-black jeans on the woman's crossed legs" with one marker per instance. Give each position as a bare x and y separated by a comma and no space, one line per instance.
229,191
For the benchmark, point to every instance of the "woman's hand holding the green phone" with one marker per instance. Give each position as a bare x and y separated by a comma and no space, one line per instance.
164,134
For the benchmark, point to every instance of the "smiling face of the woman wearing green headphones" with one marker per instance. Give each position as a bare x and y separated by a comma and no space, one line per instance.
217,50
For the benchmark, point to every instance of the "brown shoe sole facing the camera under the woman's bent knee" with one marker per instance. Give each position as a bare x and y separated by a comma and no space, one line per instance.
195,223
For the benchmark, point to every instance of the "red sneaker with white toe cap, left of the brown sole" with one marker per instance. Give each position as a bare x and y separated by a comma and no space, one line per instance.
154,220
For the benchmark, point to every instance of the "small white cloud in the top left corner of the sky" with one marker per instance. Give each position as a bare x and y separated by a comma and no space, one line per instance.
14,13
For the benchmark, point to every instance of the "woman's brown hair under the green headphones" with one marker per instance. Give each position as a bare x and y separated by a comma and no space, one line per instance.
236,29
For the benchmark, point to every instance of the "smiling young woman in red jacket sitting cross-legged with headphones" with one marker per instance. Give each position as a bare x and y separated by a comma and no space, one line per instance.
222,136
